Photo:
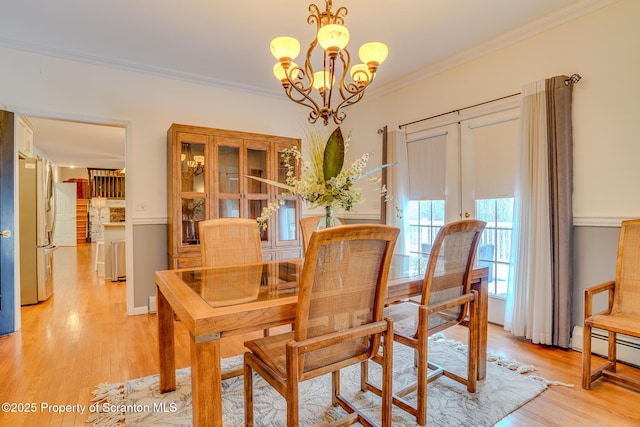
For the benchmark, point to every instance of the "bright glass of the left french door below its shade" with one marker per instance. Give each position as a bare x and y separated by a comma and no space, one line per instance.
425,217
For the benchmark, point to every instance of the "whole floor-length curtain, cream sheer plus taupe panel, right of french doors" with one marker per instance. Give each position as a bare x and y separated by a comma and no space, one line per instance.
539,299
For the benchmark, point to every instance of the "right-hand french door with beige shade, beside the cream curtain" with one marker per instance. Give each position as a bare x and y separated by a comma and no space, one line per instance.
488,169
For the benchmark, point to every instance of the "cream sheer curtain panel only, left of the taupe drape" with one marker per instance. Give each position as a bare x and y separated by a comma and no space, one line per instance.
529,299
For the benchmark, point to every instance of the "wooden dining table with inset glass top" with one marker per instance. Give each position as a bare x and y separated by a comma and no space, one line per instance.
215,302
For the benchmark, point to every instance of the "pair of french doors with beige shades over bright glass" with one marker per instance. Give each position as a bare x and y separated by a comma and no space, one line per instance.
466,169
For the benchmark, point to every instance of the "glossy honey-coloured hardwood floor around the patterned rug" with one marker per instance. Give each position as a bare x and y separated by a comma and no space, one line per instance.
82,337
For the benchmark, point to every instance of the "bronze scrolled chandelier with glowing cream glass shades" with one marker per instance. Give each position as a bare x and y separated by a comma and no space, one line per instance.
299,82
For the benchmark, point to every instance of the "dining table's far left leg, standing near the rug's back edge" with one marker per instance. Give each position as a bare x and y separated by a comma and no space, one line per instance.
166,344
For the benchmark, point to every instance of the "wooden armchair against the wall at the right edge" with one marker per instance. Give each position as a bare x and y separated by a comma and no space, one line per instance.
622,315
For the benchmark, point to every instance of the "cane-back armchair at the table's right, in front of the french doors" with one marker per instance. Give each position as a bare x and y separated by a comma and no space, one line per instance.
445,301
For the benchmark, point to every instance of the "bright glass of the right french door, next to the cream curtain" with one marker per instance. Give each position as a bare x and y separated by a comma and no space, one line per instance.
494,249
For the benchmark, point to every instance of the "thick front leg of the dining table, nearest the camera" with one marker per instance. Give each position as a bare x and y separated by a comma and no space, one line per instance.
206,381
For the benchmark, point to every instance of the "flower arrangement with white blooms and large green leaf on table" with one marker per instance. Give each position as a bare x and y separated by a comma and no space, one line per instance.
324,182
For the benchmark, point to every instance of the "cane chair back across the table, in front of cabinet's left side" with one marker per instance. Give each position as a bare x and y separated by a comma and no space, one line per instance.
229,241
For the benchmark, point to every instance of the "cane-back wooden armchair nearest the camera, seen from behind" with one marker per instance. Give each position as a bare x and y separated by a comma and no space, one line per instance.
339,320
